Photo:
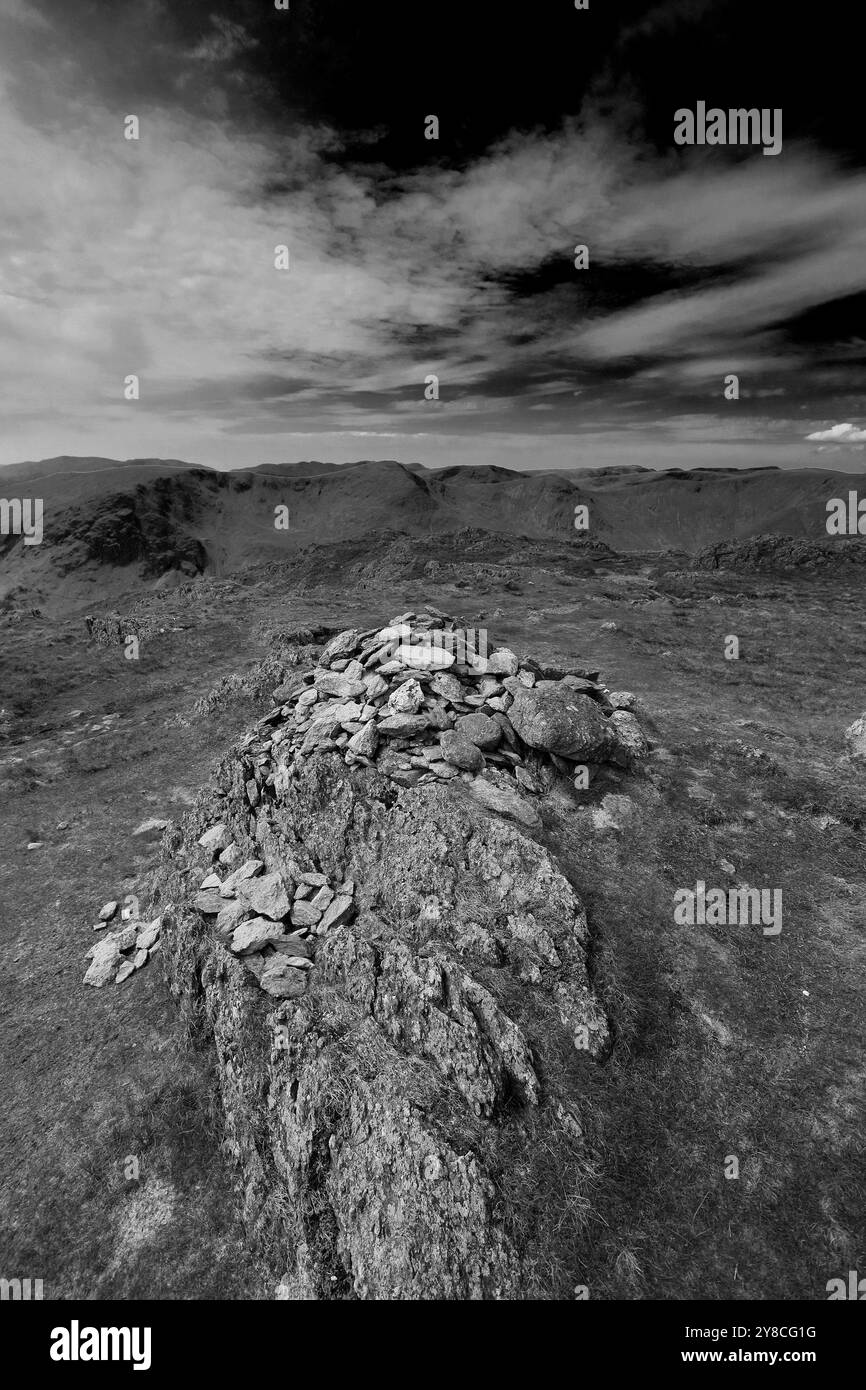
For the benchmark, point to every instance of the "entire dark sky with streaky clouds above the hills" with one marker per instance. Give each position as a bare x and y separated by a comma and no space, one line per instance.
411,256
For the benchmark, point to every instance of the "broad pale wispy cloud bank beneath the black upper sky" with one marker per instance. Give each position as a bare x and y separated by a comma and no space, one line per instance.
156,258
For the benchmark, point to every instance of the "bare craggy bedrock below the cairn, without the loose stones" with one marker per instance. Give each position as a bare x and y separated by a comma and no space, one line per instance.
370,1118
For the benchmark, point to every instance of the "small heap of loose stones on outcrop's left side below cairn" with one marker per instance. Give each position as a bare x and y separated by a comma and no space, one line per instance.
270,922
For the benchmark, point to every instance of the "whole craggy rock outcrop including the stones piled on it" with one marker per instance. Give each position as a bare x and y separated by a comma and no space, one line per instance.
437,957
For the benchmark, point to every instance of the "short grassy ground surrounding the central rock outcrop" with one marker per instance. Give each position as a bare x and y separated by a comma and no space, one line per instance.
718,1049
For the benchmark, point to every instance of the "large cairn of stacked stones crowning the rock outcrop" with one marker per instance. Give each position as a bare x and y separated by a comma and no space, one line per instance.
420,701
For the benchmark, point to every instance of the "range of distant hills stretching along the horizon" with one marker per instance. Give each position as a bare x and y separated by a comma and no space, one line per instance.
112,526
